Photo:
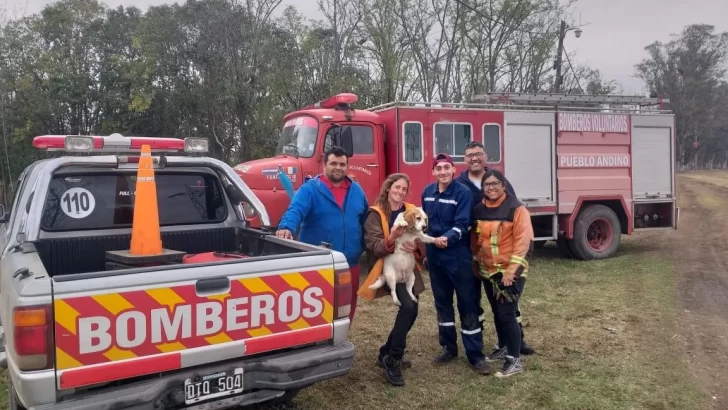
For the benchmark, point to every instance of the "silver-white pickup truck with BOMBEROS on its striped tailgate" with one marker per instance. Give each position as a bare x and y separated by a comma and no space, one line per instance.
81,334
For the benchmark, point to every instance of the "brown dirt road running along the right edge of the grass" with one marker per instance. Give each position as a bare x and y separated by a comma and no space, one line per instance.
699,249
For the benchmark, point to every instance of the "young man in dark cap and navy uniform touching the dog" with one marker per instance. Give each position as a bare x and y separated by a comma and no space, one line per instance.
448,204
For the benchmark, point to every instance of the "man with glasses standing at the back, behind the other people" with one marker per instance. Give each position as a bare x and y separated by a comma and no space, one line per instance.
475,158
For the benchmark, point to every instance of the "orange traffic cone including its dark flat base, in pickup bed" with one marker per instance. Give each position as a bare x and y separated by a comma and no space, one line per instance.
146,239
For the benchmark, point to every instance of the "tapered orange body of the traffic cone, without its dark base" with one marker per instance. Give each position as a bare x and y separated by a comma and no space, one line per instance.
145,236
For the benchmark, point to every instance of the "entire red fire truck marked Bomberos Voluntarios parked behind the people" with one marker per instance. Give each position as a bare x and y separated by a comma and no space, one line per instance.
589,168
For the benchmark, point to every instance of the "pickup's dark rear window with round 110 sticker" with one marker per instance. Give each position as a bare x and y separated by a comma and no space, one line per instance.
103,201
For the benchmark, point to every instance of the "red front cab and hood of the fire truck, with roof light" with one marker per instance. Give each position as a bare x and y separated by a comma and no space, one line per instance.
306,135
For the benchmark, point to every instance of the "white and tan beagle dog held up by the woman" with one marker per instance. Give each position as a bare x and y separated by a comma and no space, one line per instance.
399,266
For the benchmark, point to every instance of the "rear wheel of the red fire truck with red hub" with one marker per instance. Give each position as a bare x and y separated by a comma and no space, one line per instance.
597,233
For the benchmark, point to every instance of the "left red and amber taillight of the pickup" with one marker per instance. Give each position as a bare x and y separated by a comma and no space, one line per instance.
32,337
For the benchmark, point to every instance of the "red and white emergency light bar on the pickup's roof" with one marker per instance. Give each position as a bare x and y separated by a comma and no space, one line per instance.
117,143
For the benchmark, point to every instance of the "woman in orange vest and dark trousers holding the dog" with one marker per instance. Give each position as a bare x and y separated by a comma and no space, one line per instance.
379,240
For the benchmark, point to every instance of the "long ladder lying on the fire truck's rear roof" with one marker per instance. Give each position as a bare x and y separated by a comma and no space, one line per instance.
572,99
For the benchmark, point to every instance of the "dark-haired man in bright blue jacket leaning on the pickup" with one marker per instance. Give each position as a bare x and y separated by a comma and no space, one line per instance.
330,208
